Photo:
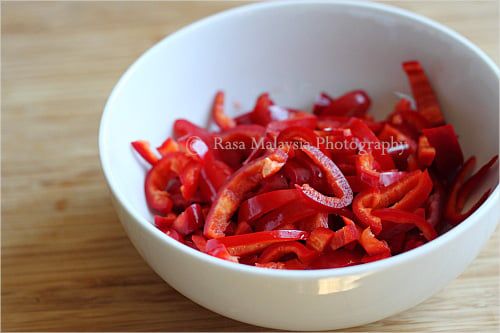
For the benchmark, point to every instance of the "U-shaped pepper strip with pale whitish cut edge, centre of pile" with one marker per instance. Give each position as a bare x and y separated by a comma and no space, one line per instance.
336,180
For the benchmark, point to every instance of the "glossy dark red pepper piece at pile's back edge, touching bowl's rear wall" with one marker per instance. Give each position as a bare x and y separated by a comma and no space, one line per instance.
352,104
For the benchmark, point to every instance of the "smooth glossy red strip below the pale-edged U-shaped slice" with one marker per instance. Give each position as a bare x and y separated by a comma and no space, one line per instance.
286,214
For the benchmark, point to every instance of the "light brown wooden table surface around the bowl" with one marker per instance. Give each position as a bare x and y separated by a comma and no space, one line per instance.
67,264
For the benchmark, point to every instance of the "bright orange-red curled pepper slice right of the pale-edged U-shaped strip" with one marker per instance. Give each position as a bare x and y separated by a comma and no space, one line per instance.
408,194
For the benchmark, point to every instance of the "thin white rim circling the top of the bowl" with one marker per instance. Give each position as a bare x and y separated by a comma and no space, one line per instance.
291,274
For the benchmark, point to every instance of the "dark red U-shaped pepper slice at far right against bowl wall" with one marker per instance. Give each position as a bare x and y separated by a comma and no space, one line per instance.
451,212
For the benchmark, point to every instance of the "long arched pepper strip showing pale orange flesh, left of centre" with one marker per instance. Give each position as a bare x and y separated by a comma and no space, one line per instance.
232,193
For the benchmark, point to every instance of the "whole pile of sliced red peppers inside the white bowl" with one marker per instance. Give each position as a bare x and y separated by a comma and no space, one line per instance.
285,189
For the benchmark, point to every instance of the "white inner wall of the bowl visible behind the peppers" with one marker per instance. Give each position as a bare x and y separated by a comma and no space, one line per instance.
294,52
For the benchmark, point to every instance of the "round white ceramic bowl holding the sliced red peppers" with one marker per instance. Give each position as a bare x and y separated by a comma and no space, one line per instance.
296,50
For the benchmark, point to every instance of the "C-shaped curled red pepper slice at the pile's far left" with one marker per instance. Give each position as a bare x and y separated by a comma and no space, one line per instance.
170,166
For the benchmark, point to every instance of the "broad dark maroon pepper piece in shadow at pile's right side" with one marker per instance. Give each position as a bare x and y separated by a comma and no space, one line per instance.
449,156
